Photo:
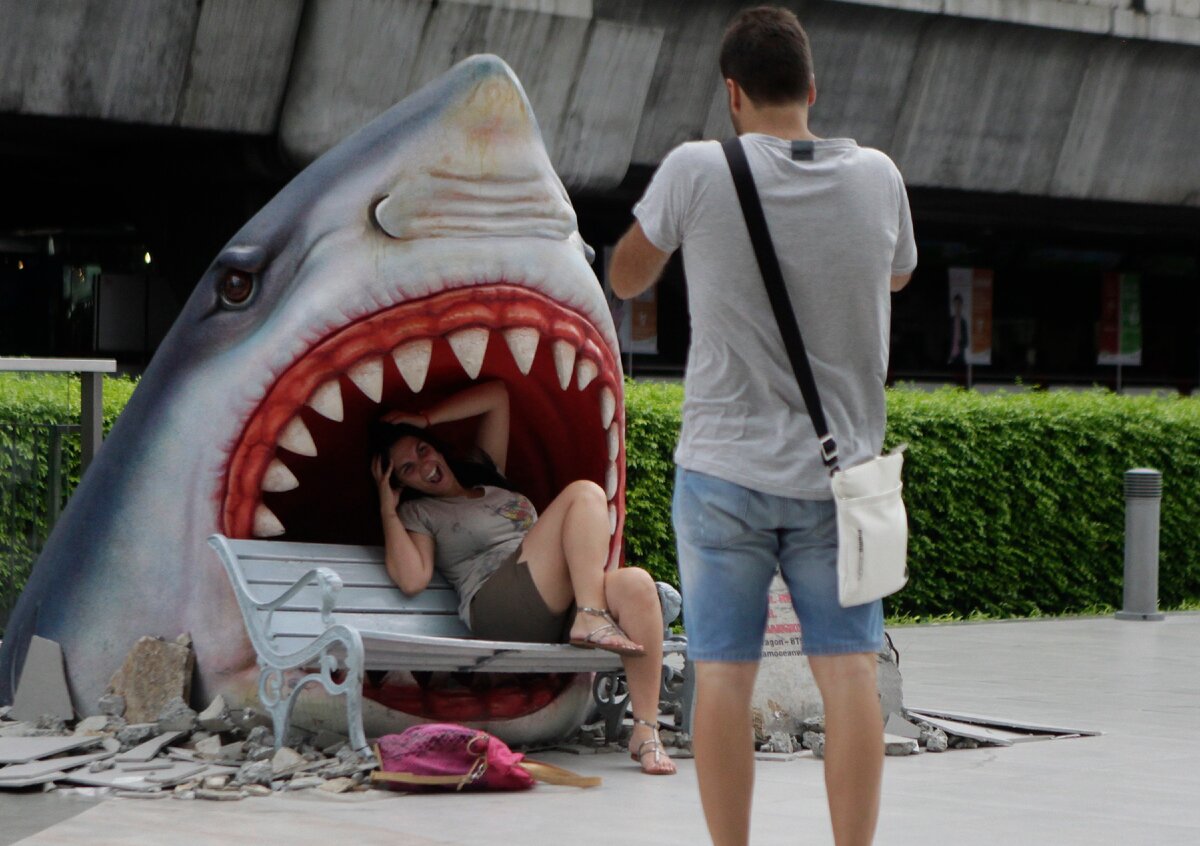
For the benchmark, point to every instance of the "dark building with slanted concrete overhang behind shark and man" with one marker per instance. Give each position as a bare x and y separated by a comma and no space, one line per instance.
1049,147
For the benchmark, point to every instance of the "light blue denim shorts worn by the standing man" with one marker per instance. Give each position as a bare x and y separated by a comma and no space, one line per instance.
731,542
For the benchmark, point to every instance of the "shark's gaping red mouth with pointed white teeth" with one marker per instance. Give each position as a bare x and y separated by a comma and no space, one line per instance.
301,470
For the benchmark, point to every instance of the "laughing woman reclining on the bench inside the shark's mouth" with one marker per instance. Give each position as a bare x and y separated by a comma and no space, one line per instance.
520,578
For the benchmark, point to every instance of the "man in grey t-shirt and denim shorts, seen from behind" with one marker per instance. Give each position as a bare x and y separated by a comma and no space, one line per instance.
752,493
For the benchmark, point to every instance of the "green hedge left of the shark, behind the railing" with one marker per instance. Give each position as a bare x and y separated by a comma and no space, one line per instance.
31,406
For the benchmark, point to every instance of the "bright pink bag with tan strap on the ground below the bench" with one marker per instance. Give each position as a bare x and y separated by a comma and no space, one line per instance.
448,757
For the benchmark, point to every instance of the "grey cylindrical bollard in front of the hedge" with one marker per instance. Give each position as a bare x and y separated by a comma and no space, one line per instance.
1144,495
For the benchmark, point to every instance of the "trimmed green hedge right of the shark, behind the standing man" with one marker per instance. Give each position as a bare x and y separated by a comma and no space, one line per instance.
1016,501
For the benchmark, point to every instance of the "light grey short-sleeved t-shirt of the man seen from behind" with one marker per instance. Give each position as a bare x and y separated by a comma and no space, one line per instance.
842,229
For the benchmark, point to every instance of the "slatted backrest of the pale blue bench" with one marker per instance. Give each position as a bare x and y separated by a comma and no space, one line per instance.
369,599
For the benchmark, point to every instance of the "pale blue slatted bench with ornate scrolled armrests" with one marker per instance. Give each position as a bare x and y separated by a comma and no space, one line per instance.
325,608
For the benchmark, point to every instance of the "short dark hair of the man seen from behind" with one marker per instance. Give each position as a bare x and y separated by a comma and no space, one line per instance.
766,51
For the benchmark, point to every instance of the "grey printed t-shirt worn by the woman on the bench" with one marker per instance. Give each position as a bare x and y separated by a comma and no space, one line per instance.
472,537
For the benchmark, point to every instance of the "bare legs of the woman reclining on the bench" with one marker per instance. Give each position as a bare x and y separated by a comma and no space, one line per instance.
567,551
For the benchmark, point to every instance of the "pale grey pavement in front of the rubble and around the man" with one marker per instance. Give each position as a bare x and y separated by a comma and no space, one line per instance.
1139,783
